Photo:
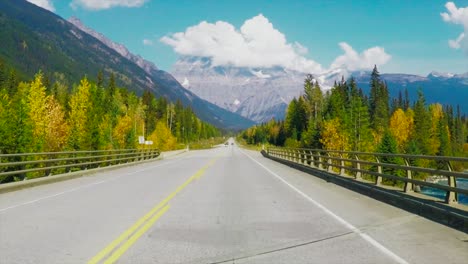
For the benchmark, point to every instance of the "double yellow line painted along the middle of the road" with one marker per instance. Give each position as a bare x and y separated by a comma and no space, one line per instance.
120,245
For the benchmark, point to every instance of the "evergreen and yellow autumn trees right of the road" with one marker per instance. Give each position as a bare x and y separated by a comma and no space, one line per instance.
344,118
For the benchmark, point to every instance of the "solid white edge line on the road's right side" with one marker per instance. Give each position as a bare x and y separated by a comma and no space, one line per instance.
356,230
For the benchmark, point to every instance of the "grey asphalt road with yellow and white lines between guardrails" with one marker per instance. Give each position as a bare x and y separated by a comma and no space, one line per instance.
224,205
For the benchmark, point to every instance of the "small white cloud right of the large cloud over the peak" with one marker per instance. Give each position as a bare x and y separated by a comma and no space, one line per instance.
355,61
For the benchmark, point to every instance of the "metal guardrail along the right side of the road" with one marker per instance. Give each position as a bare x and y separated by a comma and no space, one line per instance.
358,164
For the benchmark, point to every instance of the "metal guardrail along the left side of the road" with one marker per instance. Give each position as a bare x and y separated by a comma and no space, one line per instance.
34,165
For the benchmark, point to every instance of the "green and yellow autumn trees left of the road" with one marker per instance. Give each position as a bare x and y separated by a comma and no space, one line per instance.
44,116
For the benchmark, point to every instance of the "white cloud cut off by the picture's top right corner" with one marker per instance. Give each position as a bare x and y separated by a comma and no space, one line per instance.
458,16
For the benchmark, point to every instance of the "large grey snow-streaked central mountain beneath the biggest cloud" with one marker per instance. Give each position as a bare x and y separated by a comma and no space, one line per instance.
257,94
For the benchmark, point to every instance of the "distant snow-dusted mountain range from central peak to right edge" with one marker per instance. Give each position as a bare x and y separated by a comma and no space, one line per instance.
264,93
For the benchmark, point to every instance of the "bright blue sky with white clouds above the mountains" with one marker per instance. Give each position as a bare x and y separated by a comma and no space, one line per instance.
407,36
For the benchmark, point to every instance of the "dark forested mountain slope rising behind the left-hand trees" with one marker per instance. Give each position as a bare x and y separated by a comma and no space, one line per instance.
32,38
